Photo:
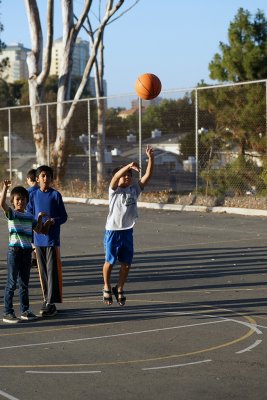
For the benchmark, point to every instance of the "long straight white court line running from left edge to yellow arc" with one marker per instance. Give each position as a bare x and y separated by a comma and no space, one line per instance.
111,336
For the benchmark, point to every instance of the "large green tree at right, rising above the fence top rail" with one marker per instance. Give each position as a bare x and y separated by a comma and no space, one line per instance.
239,112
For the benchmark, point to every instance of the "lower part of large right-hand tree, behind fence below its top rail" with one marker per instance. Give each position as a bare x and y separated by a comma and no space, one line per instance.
239,115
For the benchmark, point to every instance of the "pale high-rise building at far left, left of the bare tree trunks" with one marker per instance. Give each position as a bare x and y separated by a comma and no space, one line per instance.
17,68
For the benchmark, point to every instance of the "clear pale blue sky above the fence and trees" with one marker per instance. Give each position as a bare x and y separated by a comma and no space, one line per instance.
173,39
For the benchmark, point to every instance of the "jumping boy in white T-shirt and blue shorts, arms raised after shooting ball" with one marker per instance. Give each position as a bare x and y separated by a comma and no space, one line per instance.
118,239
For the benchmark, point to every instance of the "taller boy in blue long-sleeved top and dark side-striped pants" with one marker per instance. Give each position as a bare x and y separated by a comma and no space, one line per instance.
47,246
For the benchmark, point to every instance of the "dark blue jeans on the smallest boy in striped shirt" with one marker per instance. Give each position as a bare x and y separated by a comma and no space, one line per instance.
18,269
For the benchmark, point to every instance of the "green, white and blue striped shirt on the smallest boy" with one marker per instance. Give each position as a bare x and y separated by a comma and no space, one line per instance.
20,227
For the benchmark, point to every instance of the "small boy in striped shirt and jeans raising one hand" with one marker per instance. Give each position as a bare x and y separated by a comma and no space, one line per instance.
20,225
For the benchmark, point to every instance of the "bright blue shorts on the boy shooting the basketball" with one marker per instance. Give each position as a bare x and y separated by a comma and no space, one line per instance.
119,245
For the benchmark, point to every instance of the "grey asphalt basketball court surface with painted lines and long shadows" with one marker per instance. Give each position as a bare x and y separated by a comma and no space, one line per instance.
193,327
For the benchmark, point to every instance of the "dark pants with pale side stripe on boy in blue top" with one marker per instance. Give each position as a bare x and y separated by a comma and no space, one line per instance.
50,272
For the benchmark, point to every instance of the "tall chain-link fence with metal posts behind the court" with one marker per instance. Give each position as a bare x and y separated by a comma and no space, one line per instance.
209,142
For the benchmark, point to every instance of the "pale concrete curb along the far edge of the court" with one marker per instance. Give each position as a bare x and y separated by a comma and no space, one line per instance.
175,207
